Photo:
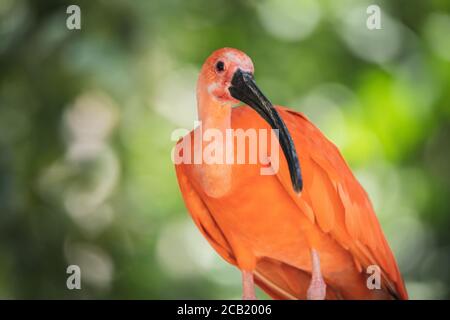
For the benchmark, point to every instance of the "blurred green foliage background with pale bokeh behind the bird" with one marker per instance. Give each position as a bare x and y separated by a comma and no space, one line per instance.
86,118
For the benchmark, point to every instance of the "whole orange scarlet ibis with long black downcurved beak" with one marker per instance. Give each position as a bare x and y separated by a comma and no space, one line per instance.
307,229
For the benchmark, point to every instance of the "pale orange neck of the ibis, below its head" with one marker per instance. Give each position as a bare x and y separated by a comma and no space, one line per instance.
215,172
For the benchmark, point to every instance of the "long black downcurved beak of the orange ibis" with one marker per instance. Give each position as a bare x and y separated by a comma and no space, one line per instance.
243,88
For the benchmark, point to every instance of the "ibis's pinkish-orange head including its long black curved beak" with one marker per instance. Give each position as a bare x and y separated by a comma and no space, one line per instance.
227,76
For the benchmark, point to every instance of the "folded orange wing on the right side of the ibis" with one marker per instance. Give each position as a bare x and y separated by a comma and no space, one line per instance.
348,216
